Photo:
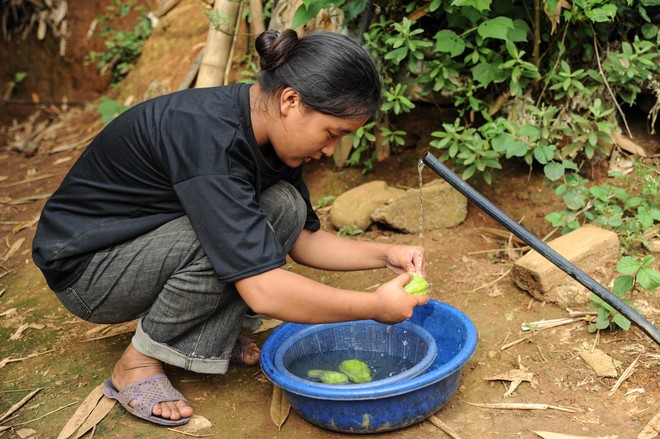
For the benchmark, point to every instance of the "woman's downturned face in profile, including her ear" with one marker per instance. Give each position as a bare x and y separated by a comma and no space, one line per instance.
302,134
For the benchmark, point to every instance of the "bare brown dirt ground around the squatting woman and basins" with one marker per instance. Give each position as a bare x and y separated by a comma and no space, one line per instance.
67,358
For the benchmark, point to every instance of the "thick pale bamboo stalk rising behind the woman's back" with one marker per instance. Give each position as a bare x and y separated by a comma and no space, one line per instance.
218,46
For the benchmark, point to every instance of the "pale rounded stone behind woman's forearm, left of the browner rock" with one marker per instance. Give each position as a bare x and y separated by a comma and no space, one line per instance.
354,207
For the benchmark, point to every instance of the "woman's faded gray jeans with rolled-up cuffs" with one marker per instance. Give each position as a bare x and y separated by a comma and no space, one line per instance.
188,318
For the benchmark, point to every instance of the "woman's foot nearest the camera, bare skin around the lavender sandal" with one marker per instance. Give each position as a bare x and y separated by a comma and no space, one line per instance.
134,366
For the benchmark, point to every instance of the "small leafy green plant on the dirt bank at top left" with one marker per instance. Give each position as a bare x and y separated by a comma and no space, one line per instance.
123,48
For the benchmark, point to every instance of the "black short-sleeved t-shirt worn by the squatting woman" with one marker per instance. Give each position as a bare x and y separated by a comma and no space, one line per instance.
190,153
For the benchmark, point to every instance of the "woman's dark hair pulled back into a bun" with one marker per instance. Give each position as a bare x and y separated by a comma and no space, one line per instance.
330,71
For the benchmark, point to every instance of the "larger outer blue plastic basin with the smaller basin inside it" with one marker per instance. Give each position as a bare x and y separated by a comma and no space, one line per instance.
394,405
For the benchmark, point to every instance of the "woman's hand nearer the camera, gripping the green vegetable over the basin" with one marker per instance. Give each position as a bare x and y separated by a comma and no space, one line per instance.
394,303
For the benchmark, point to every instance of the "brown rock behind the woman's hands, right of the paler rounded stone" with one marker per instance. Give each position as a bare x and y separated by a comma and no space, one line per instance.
442,207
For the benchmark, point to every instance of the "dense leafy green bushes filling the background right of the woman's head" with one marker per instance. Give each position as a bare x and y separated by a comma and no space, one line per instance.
479,51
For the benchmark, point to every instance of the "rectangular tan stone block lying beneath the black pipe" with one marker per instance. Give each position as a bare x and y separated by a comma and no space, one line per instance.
593,250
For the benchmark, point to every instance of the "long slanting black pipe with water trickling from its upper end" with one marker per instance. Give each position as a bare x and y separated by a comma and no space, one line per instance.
541,247
